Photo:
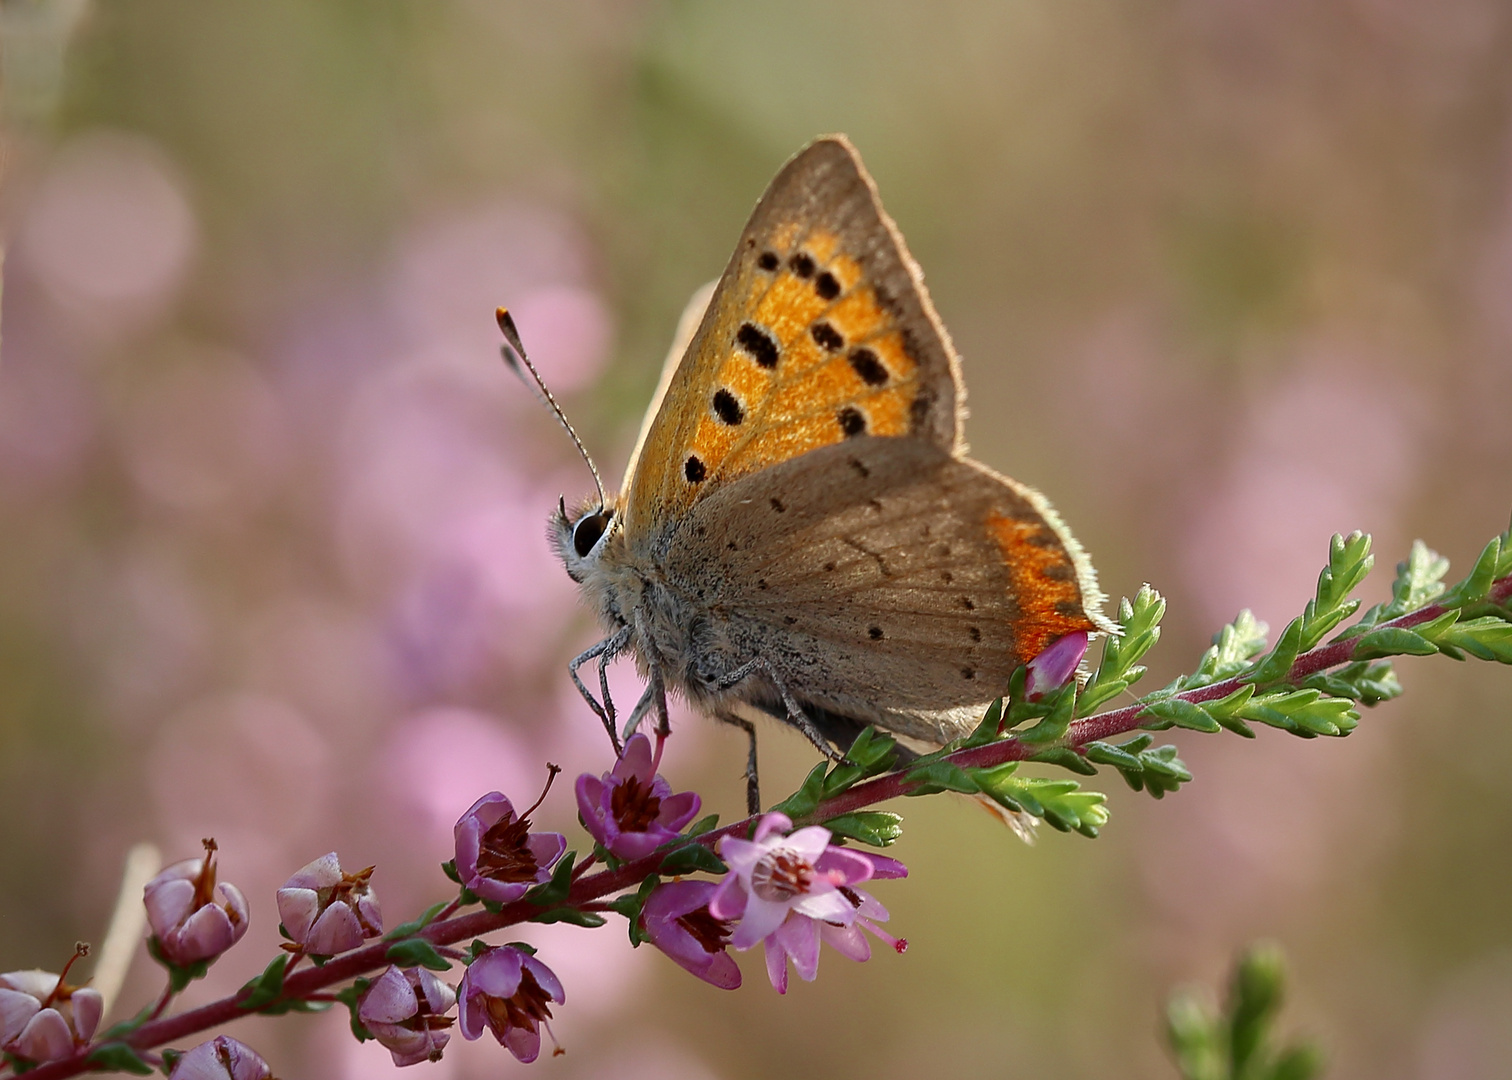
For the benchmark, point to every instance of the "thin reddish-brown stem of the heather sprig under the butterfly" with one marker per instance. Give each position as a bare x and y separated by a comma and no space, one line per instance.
607,883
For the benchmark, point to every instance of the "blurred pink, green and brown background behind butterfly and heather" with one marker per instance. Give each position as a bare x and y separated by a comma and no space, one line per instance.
1227,278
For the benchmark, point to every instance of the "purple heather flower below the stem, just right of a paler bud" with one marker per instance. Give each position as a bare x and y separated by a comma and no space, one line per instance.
509,990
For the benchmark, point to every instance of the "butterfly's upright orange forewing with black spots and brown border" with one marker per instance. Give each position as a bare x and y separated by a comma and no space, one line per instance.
819,332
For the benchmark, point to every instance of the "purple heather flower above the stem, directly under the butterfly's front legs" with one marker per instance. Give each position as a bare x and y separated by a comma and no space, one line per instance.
633,810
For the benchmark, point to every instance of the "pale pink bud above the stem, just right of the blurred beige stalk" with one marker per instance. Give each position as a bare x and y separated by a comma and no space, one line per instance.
188,925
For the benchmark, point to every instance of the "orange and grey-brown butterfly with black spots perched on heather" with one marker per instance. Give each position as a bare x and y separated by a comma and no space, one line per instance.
801,533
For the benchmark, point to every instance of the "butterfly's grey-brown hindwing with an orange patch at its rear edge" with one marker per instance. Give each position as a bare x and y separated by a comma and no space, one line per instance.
887,579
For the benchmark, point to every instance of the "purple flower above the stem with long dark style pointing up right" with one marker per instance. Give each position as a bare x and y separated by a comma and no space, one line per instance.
498,857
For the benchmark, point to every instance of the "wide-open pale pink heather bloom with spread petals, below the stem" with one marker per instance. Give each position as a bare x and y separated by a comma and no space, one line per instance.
793,892
